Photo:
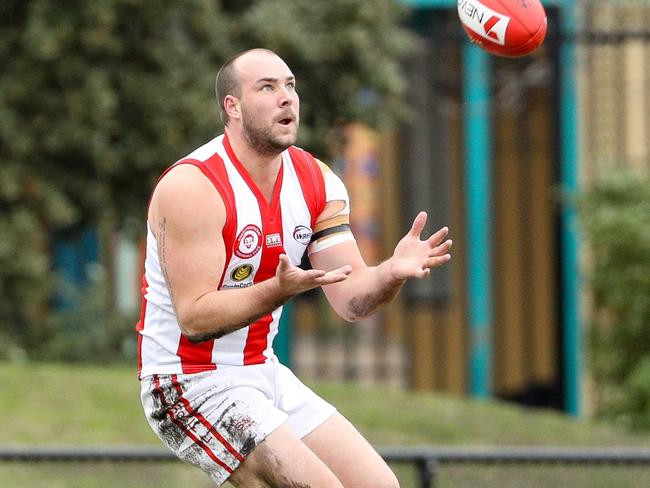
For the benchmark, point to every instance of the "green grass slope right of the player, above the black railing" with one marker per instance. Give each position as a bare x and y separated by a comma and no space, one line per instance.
398,417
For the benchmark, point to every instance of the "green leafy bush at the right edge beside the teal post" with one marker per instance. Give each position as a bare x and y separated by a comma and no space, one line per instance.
616,217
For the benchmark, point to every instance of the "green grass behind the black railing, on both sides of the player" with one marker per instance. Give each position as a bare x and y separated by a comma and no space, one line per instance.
63,404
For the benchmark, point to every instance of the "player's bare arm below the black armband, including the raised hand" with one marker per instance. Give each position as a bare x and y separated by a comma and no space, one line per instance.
369,287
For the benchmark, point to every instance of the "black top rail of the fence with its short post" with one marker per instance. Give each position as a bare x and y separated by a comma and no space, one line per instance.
425,459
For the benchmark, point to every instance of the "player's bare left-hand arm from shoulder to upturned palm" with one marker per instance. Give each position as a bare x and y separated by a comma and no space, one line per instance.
187,217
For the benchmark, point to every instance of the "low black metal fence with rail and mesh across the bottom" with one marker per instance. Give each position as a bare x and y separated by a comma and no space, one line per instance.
432,464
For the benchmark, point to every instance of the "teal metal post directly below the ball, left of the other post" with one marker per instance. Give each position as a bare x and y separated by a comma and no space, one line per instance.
478,188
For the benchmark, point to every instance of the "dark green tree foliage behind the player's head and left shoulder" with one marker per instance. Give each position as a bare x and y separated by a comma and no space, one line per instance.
97,98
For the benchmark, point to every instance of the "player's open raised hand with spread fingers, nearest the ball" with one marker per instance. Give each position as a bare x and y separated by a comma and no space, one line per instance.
414,258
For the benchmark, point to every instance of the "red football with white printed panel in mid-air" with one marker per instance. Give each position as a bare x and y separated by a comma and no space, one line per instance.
504,27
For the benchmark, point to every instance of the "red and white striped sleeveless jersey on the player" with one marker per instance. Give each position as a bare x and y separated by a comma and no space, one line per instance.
255,233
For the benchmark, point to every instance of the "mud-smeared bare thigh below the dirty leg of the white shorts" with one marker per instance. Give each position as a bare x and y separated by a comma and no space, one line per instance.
283,460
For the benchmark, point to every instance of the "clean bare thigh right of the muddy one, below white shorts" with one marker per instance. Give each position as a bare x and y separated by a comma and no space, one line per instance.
350,457
